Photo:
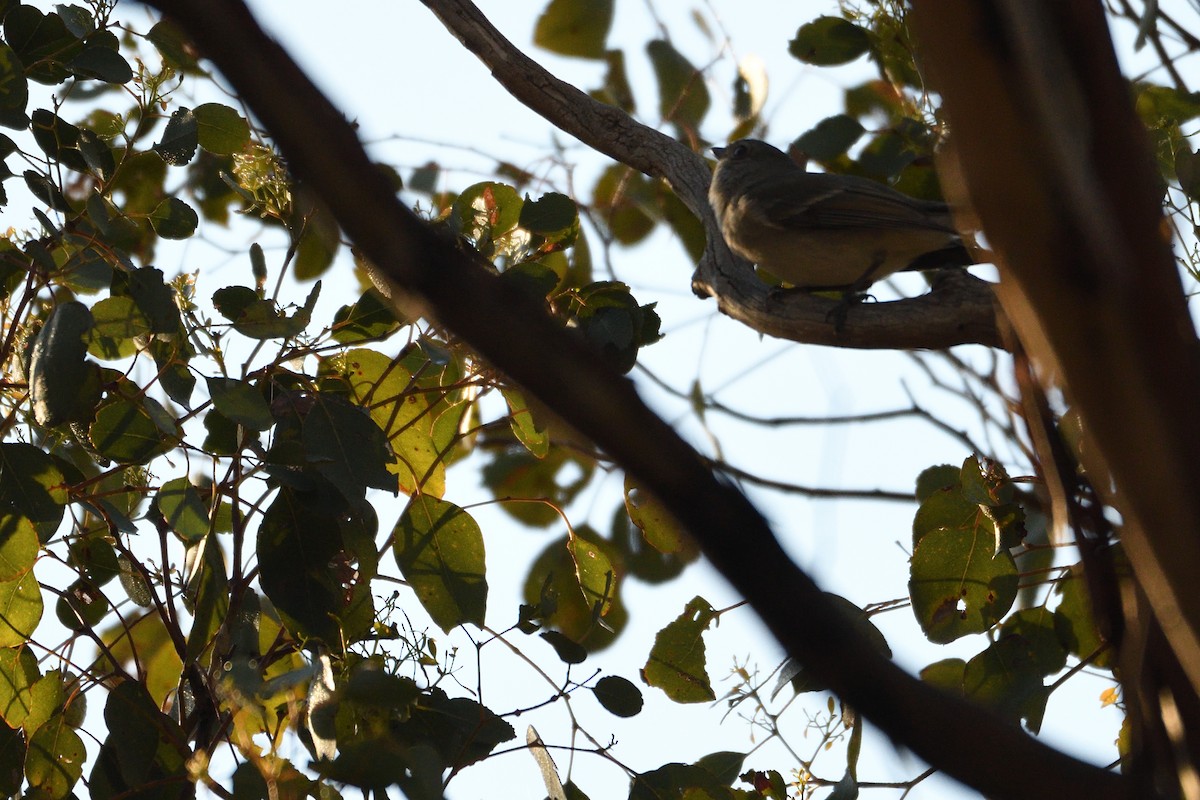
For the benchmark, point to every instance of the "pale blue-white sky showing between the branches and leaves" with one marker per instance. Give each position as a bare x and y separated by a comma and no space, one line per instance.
418,97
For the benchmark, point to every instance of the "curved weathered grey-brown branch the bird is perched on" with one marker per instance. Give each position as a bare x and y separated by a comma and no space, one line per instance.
951,315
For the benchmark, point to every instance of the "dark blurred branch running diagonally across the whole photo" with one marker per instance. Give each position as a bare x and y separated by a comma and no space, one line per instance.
506,327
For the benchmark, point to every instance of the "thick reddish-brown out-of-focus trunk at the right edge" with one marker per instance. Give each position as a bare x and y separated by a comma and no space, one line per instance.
1059,169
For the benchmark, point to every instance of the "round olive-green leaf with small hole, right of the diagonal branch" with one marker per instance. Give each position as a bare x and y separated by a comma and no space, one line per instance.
959,584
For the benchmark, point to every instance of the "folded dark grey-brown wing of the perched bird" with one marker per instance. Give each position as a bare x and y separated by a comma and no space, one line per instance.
848,203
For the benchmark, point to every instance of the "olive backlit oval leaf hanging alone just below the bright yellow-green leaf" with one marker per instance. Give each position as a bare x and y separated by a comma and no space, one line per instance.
440,551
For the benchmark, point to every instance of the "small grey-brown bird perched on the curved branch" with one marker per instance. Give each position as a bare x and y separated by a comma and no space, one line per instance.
818,231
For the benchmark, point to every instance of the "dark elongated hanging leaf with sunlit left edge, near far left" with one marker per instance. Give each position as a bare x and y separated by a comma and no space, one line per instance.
58,370
